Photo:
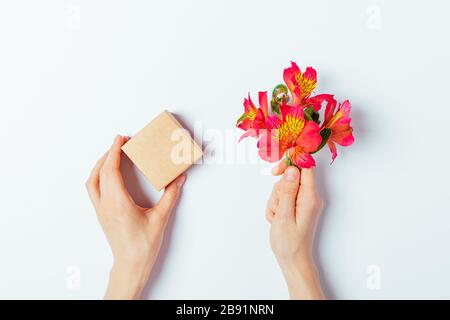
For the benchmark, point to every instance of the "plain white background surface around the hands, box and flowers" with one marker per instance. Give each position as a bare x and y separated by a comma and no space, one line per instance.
75,73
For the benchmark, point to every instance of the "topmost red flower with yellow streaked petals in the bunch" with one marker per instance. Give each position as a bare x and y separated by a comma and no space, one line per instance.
300,84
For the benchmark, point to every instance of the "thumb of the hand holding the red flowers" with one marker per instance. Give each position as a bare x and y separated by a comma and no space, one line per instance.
288,189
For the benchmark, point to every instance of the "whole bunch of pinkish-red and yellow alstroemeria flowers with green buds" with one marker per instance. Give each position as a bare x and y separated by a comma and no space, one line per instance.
294,129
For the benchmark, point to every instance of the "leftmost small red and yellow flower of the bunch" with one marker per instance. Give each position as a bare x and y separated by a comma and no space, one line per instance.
253,119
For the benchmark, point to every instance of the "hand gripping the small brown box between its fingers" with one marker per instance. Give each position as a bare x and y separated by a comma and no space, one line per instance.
134,233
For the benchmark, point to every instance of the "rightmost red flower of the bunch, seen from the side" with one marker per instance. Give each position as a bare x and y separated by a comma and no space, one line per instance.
339,123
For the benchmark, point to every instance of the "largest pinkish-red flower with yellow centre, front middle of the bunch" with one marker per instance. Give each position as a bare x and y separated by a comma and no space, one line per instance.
292,134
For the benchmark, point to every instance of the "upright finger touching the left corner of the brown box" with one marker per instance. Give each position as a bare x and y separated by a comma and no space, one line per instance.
111,181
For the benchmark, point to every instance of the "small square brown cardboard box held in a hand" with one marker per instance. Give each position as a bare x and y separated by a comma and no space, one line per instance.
162,150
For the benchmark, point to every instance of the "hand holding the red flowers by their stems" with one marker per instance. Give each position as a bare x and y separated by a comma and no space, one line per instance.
293,211
